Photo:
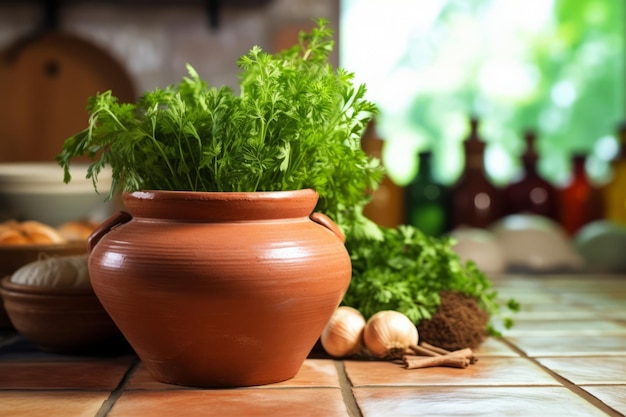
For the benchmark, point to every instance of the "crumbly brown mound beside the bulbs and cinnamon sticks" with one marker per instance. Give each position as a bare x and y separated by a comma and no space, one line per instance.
458,323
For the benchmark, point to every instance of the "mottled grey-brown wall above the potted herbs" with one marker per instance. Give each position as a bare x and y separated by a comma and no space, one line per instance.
155,42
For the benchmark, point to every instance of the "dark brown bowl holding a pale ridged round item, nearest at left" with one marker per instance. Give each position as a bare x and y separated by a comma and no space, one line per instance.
60,320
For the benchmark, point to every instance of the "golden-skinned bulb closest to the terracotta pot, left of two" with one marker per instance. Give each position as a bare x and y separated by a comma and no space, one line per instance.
343,334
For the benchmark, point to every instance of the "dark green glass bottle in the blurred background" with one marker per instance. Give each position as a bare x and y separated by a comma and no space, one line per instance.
427,200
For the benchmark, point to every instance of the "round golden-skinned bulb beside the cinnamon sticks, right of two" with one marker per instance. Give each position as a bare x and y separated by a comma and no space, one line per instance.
389,334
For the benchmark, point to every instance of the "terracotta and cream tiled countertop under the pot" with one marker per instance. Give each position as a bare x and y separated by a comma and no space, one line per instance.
566,356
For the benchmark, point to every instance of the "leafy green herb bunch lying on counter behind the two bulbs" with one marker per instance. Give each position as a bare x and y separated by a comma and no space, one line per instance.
407,271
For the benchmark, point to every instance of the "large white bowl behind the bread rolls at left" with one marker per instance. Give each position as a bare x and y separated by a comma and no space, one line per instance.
36,191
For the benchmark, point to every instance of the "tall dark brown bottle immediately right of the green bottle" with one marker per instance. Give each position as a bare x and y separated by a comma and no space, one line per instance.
476,202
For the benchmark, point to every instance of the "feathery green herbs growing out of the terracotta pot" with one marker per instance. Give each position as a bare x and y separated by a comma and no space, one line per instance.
296,123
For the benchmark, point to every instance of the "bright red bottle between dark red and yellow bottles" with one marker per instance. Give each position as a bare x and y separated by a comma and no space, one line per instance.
581,202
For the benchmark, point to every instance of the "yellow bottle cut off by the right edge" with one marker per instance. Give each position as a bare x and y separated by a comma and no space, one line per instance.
615,190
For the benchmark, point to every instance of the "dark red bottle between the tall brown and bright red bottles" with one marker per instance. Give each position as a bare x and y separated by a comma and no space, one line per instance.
532,193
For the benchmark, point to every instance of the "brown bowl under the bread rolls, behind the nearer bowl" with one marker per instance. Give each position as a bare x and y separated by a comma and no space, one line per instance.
12,257
